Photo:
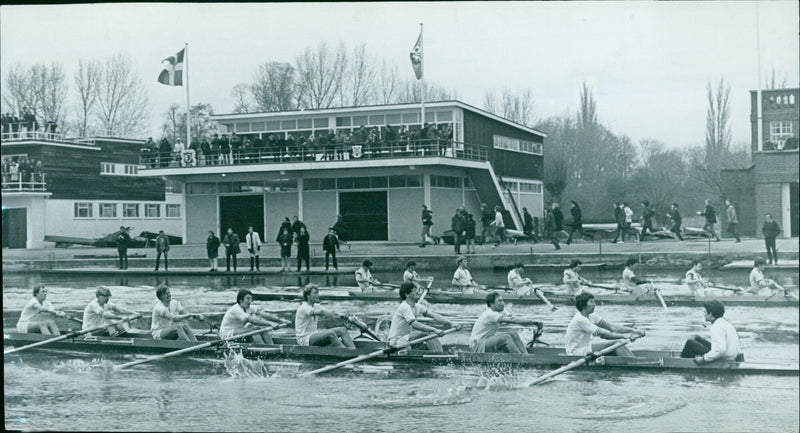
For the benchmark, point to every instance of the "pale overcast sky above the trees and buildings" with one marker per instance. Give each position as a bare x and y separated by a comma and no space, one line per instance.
648,63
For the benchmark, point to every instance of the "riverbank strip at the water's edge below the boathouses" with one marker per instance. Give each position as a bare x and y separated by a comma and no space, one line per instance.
386,256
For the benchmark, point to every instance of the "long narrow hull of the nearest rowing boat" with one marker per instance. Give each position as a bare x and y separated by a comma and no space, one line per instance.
453,354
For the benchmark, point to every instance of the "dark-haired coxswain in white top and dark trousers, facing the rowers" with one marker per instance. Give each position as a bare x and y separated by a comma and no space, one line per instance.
724,344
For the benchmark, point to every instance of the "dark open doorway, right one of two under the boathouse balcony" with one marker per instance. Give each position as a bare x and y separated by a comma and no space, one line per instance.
365,215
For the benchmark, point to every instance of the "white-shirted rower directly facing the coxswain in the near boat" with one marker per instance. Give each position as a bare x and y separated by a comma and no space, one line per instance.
585,325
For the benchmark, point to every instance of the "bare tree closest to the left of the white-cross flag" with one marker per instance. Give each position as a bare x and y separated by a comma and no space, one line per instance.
122,101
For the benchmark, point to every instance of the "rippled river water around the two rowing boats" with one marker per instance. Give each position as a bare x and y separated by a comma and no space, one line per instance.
50,390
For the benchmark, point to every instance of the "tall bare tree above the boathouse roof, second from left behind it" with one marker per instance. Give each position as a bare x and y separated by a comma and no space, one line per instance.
320,74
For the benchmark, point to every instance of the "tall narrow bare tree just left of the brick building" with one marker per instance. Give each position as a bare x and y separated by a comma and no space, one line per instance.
718,132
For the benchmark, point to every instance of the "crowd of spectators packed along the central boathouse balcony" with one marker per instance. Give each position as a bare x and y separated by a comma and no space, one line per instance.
233,148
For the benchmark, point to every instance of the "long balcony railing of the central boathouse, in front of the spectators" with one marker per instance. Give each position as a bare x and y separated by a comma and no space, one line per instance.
326,153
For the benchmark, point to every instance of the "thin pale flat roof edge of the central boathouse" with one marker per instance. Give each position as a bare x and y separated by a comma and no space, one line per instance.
367,108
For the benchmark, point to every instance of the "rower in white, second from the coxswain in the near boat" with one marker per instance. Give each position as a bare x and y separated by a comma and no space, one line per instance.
485,338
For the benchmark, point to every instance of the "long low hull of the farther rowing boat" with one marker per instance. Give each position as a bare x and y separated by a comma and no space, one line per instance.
479,297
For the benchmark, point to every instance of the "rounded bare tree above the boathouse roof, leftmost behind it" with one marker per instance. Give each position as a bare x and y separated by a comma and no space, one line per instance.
273,87
